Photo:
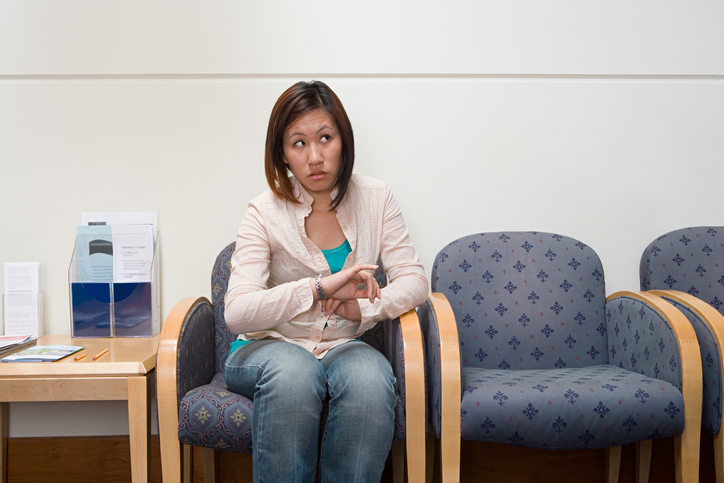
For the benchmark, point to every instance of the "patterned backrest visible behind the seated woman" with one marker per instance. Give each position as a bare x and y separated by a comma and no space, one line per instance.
224,337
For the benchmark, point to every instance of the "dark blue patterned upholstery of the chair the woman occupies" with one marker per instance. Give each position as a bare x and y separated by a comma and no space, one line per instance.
212,416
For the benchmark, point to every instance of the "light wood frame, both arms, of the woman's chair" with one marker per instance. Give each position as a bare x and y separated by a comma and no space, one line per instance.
176,457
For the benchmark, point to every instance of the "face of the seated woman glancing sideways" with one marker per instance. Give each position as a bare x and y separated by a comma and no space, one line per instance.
312,151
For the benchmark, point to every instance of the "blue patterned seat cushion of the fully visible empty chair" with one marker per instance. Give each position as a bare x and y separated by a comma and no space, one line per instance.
590,407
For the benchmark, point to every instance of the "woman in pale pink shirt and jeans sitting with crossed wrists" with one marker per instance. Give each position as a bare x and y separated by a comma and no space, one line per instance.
302,290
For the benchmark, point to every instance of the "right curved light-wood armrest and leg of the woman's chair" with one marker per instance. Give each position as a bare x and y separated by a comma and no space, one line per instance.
414,395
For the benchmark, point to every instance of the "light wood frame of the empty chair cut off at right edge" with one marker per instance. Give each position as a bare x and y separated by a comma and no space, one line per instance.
715,321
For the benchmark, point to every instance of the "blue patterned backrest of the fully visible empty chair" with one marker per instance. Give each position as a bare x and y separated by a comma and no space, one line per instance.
525,300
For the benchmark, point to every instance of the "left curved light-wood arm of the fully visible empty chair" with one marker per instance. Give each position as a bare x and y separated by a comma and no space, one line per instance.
450,387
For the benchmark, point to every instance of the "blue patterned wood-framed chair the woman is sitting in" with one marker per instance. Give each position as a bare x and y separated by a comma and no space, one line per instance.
195,408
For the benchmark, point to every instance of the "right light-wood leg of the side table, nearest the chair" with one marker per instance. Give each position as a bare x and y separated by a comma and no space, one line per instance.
139,423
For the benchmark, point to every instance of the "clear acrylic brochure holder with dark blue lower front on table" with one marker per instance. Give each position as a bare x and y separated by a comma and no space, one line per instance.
114,309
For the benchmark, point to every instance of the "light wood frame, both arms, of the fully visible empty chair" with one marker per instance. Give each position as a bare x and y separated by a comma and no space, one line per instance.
686,459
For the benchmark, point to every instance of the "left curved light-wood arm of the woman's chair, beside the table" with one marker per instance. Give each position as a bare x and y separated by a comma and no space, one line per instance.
171,460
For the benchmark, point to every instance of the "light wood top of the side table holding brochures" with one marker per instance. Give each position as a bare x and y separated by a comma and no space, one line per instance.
126,356
